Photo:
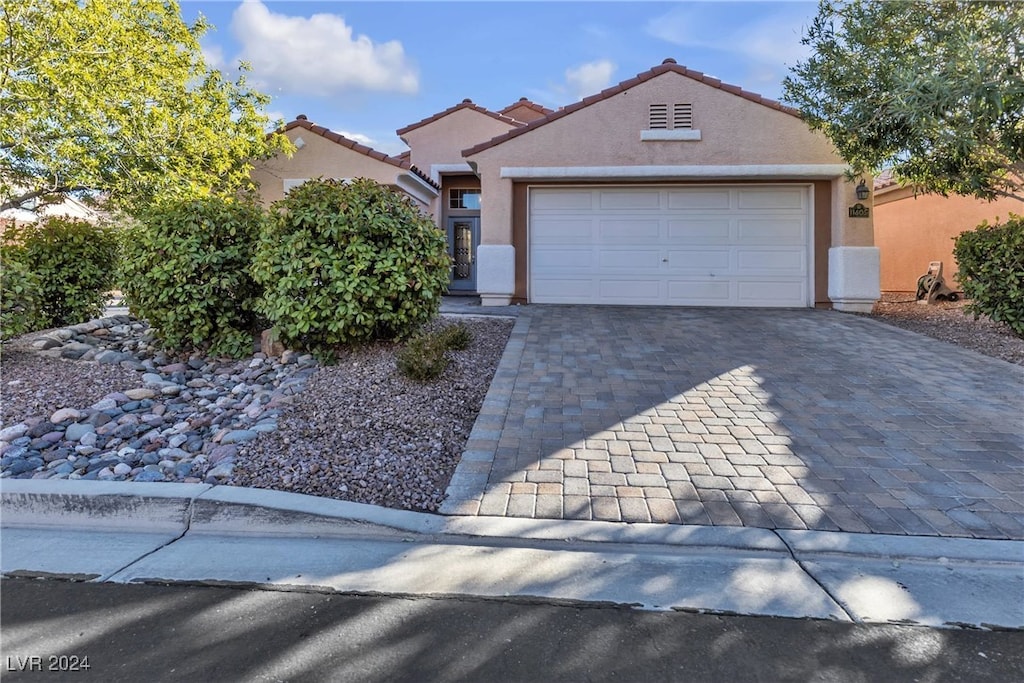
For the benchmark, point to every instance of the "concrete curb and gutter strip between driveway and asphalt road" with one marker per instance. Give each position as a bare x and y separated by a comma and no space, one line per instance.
131,533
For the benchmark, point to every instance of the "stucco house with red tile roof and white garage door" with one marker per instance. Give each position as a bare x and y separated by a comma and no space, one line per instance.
668,189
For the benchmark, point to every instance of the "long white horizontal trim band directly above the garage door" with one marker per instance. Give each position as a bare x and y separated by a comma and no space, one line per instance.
676,173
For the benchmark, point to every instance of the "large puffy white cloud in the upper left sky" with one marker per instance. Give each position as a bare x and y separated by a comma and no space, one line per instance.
320,56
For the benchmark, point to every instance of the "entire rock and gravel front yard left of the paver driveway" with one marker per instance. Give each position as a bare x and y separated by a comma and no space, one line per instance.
99,402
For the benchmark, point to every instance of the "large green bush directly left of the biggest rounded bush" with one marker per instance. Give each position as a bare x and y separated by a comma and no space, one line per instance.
187,271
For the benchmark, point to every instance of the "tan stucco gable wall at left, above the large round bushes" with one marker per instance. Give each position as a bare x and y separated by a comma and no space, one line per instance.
319,157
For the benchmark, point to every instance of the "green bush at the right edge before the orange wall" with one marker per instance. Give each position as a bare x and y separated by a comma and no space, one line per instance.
991,260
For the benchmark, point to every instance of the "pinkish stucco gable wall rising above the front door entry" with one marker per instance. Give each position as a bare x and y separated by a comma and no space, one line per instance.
442,142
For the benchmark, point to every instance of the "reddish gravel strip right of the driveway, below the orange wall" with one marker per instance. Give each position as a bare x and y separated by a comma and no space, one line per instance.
949,322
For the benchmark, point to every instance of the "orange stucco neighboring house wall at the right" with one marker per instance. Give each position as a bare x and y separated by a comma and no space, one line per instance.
913,230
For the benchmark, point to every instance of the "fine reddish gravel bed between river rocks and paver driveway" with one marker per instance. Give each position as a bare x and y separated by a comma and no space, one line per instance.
363,433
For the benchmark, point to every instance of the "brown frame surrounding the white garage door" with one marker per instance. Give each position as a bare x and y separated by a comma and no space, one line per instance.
808,216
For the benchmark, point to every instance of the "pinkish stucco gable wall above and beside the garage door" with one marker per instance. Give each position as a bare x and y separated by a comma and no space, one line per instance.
734,132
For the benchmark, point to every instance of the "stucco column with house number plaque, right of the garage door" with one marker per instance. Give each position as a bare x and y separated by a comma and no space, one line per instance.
855,262
